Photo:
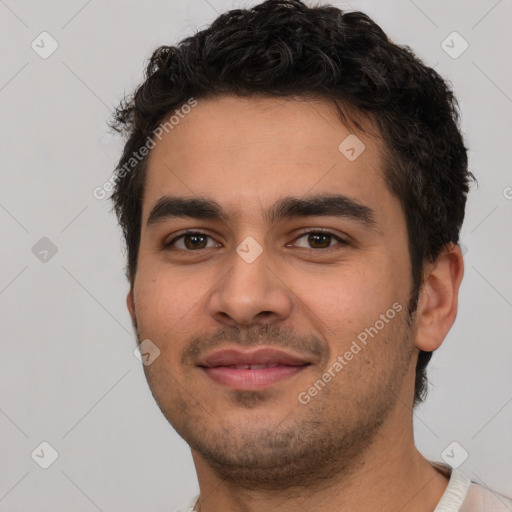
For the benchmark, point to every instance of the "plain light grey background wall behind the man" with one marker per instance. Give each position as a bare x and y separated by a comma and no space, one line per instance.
68,373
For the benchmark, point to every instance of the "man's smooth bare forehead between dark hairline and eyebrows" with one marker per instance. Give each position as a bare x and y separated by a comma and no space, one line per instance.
243,151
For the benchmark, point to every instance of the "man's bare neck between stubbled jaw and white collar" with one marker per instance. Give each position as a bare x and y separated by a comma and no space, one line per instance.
390,475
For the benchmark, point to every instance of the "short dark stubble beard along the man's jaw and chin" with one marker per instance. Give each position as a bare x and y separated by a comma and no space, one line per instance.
310,445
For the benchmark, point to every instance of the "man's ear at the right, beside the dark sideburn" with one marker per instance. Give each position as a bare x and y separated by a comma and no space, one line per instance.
437,304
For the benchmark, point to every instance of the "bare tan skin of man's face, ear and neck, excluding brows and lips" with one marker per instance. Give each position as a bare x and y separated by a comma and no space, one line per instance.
351,447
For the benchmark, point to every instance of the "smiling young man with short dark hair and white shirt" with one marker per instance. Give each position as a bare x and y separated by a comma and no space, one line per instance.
291,193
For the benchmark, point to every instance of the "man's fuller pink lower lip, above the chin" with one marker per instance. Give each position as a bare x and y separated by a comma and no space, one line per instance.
251,379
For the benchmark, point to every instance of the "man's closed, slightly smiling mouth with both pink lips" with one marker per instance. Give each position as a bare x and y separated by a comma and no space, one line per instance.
252,370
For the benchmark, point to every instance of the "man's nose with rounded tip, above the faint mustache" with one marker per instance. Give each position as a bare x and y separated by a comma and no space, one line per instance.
250,292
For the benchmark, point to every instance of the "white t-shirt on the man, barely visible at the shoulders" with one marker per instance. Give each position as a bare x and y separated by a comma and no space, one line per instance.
461,495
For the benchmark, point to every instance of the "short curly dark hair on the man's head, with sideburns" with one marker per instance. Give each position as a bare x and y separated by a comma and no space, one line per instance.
284,48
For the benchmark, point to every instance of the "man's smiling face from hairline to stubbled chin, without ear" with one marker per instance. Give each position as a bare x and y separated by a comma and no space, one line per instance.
297,263
